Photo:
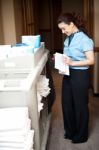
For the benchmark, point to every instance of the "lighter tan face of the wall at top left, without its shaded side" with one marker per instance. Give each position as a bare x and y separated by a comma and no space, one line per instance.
8,21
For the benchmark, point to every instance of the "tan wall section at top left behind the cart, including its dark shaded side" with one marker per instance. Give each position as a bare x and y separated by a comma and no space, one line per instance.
11,21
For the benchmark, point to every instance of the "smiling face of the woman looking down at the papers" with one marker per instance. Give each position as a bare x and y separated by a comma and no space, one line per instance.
66,29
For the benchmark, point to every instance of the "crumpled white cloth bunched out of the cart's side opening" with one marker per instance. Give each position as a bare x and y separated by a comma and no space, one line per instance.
42,90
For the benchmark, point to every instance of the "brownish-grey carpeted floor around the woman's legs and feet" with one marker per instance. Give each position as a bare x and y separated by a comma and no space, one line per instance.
56,140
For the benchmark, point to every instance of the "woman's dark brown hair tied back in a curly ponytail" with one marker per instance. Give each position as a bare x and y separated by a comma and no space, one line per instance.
73,17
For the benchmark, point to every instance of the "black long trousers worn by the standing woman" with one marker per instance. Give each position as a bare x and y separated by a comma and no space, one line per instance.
75,103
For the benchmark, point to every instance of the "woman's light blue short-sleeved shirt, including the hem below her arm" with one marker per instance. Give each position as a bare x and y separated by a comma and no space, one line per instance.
76,49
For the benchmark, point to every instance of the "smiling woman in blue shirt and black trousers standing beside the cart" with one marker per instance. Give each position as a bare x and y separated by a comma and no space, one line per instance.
78,48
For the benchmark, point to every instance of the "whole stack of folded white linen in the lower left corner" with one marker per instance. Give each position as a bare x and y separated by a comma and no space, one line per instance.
15,129
